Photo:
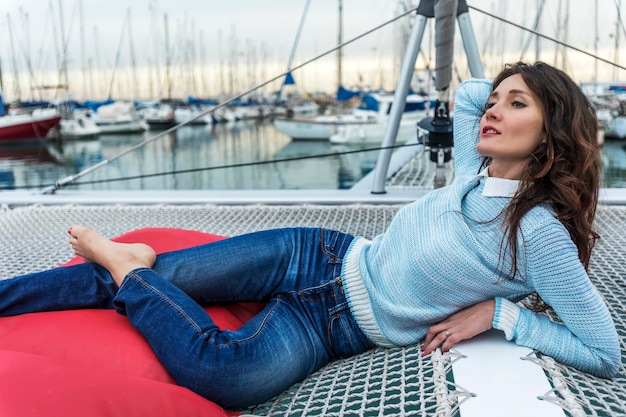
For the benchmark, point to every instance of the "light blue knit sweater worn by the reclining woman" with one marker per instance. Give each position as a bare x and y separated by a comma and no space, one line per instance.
441,254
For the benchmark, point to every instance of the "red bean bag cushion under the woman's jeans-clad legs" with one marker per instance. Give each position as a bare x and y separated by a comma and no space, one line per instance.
93,362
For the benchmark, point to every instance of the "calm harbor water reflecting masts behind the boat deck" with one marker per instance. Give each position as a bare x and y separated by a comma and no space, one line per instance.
224,156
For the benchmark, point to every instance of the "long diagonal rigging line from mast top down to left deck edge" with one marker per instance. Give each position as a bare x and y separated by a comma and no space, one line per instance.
69,179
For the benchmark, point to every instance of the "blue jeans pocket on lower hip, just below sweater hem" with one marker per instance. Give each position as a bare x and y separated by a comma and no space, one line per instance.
344,335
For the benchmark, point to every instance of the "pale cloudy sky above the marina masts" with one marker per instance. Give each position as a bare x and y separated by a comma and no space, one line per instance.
122,48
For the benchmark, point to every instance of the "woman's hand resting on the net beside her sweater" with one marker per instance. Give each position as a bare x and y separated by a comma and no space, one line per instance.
462,325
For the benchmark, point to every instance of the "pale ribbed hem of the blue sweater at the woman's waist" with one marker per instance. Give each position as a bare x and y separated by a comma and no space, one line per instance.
357,295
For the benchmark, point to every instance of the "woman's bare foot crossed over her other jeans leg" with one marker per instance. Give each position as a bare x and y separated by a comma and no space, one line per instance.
118,258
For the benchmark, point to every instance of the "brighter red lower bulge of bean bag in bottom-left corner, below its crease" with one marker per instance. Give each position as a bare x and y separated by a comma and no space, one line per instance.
33,385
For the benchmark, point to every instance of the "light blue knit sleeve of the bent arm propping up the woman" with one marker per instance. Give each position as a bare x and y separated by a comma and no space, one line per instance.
587,338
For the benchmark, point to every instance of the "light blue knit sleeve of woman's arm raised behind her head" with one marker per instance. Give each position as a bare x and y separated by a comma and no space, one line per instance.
469,105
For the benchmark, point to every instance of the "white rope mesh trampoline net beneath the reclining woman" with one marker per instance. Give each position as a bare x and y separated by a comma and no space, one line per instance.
397,382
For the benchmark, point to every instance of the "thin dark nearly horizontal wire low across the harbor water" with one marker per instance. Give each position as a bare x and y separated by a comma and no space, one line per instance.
216,167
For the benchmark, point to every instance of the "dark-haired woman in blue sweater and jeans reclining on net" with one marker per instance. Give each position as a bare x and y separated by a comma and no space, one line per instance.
517,220
